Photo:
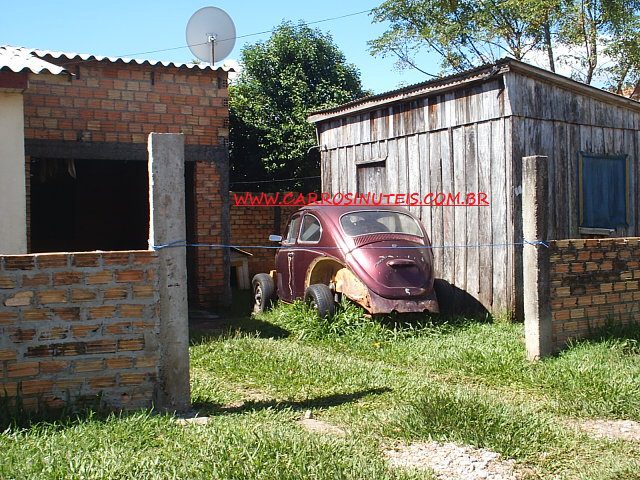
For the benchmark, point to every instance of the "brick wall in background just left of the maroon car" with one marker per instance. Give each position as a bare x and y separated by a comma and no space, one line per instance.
252,226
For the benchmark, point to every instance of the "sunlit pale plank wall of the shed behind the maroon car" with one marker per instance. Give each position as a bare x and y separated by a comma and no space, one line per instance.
454,142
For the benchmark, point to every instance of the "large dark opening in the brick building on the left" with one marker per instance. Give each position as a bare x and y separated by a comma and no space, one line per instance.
86,205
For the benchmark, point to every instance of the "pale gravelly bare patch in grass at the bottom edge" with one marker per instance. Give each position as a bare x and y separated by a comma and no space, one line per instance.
452,462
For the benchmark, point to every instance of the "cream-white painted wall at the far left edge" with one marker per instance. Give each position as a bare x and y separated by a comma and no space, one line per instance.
13,203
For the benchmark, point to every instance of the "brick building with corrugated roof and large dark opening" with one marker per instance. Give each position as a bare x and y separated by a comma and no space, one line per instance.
86,121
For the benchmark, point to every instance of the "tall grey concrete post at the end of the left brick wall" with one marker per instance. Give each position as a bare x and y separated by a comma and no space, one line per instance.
167,224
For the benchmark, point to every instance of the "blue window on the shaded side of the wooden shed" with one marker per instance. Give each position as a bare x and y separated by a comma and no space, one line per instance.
604,190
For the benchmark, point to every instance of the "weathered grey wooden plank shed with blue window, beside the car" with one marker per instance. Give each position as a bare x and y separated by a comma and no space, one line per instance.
468,133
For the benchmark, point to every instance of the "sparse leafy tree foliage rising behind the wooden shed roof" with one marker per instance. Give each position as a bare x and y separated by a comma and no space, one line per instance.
595,38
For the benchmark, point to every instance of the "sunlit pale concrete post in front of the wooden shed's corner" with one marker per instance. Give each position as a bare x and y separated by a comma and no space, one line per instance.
535,258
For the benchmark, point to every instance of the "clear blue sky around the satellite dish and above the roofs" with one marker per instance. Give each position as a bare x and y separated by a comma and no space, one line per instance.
122,28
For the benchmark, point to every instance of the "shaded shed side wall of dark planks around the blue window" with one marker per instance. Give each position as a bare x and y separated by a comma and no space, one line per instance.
553,121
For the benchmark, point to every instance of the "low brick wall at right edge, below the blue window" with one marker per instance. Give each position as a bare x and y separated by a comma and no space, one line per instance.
593,282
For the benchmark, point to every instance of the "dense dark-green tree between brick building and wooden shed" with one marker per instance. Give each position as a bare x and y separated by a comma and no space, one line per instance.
296,71
